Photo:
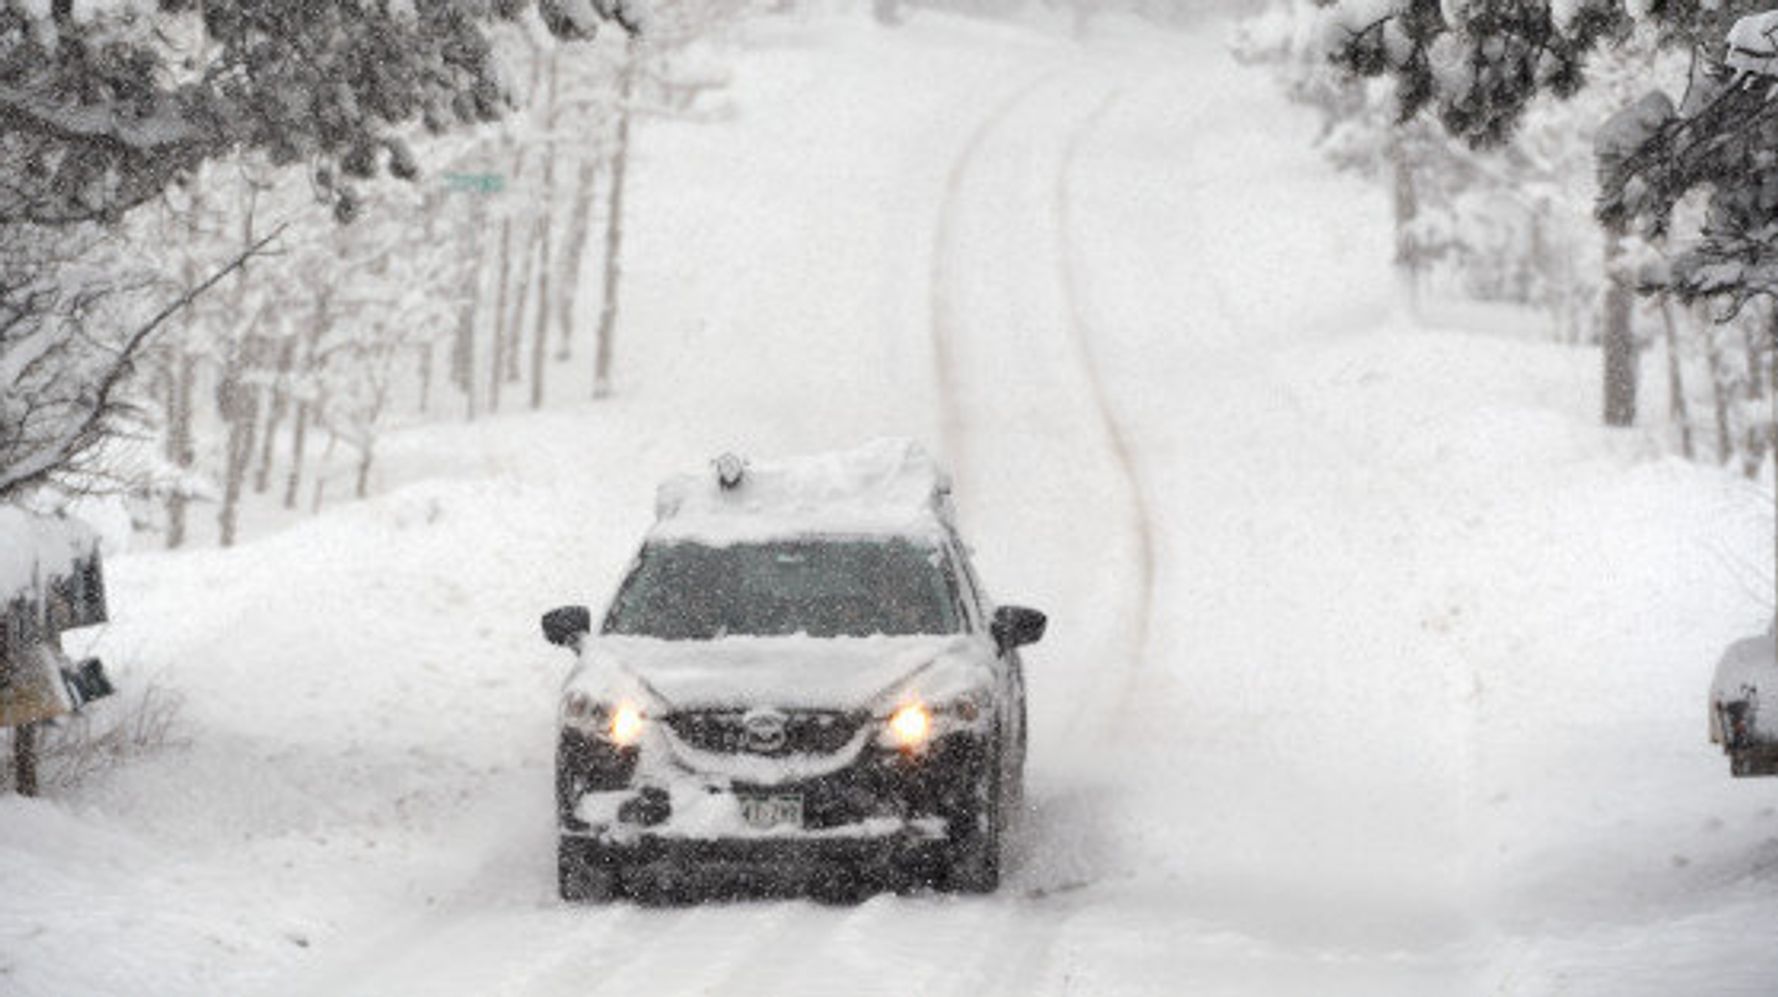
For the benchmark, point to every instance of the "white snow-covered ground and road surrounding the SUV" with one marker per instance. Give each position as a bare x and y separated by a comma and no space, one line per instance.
1375,666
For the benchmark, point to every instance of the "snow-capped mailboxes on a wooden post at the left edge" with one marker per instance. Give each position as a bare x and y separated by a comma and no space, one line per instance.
51,580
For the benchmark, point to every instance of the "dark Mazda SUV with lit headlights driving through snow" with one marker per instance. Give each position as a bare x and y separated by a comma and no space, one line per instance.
801,678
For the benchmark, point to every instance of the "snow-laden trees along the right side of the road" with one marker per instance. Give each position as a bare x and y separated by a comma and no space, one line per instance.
1530,161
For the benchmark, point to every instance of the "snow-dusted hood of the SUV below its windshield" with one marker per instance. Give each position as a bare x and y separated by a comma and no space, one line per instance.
787,673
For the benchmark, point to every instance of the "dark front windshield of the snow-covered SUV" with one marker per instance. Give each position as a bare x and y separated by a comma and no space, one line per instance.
687,591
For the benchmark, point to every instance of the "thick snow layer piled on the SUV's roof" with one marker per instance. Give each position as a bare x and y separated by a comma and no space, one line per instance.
888,488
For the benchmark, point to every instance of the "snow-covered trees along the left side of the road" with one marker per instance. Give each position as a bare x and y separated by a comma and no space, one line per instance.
236,237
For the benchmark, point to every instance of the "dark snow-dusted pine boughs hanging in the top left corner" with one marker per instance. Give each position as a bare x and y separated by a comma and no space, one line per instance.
113,104
